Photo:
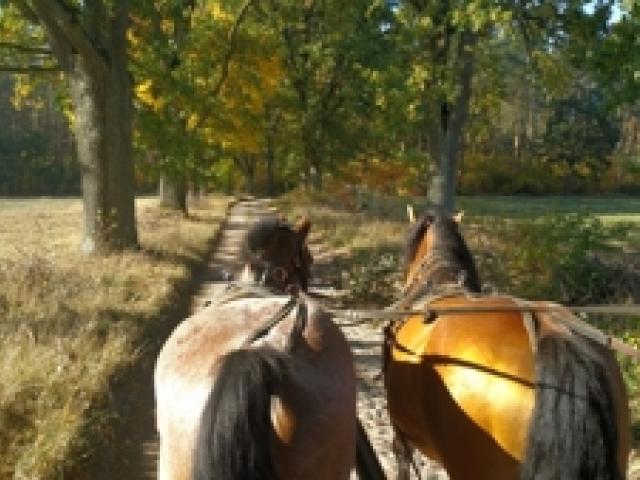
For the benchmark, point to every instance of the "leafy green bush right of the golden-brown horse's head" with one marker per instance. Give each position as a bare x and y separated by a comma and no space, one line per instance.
559,257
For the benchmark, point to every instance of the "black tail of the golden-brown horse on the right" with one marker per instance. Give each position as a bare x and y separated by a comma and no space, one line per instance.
573,433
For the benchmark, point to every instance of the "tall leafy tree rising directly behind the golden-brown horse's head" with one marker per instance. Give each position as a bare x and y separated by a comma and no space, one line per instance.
443,38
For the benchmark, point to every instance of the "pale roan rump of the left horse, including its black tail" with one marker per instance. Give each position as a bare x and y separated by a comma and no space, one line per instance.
201,370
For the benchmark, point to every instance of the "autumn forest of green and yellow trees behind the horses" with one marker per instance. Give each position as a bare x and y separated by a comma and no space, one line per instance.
402,97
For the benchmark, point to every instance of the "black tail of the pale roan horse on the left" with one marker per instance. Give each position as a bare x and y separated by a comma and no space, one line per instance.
234,441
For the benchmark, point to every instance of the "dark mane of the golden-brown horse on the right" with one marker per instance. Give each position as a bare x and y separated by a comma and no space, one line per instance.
450,246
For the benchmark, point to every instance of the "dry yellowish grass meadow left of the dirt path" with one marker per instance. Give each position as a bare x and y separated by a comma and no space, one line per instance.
68,321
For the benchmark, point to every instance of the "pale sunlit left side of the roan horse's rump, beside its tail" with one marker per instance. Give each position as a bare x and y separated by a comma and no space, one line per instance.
185,372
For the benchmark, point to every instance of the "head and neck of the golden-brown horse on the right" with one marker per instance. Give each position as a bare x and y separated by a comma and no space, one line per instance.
437,253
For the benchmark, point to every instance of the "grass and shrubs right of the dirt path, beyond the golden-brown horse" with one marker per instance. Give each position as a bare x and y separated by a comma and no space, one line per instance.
571,250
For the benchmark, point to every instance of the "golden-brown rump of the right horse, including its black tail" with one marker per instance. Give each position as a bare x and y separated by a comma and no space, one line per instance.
478,375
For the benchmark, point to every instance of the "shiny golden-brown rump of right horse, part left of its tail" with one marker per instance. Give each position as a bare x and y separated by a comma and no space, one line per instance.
461,386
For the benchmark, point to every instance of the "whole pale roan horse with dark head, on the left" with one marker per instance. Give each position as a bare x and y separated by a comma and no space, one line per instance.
257,386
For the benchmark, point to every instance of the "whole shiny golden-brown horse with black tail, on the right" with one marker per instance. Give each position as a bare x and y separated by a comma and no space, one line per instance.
494,387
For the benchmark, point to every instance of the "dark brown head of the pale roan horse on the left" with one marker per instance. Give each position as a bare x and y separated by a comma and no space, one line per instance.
276,254
